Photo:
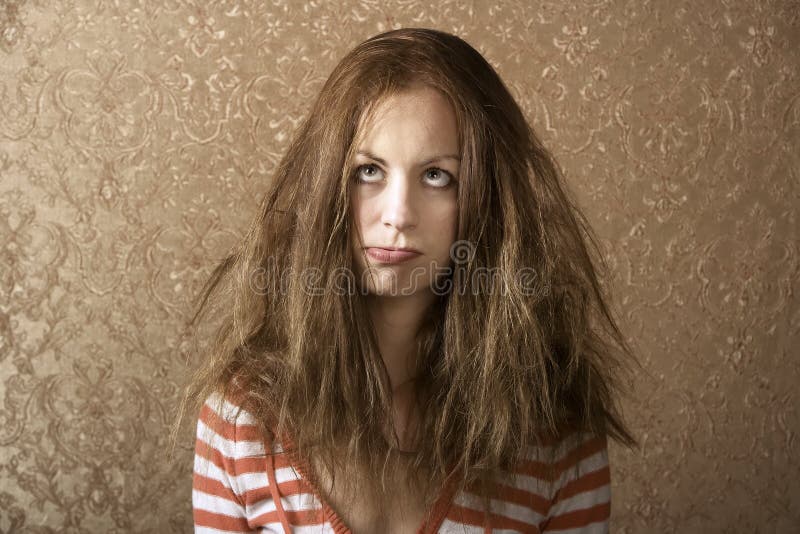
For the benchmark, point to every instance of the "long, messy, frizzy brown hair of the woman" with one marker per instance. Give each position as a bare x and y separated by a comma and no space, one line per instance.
500,370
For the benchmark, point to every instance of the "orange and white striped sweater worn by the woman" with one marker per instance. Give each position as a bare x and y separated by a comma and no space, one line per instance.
239,488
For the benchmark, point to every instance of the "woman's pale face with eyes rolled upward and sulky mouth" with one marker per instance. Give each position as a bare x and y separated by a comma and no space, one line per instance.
405,193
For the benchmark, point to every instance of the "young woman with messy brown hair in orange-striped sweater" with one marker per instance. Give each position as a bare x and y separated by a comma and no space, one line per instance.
415,337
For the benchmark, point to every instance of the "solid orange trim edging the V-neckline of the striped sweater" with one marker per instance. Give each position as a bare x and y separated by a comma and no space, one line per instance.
433,518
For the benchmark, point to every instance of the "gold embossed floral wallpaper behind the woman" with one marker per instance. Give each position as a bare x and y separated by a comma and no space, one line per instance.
136,138
